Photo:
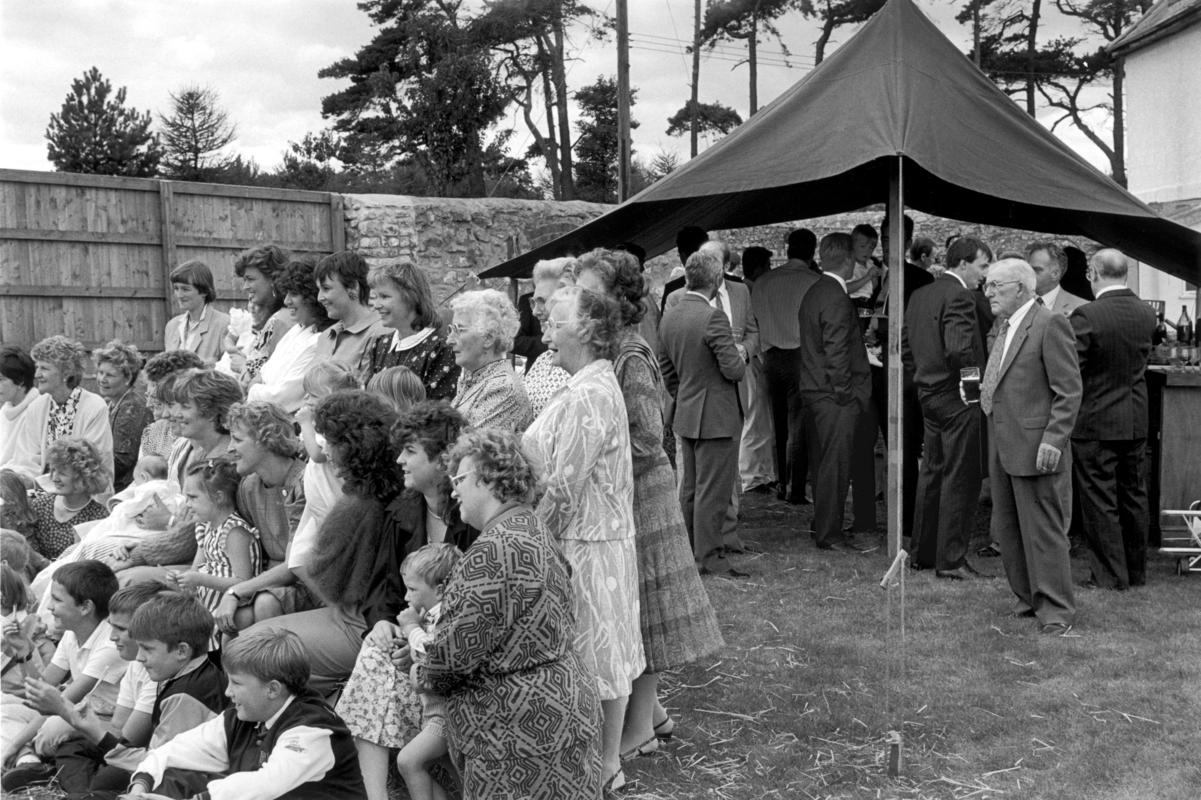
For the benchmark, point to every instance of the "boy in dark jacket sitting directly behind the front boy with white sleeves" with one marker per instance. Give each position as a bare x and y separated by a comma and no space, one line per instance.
174,686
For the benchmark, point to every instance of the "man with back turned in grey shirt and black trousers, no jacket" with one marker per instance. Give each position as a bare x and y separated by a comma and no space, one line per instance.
776,303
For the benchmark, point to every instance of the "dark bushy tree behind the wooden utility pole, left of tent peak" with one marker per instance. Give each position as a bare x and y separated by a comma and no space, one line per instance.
596,150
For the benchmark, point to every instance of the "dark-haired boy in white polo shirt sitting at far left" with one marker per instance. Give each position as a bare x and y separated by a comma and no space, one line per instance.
80,599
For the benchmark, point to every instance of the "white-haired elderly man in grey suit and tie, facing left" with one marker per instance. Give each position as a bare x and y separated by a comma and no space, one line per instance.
1031,395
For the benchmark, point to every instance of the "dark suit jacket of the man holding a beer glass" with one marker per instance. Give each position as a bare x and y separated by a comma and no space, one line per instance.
941,337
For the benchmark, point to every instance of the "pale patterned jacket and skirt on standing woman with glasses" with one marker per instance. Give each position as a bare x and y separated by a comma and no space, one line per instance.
581,445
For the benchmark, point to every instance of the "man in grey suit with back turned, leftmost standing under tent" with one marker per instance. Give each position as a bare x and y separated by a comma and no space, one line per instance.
702,368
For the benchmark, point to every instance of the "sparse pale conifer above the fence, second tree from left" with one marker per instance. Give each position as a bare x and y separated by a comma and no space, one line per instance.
195,134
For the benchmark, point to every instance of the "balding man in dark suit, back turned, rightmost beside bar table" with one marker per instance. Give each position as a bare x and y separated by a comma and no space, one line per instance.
1110,440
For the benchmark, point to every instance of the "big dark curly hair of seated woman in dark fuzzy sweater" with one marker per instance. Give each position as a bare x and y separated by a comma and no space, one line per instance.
360,423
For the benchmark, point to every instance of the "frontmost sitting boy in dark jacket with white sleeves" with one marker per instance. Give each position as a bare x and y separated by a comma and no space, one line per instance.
279,741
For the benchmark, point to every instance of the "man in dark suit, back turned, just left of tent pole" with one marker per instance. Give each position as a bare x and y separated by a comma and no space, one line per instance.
836,395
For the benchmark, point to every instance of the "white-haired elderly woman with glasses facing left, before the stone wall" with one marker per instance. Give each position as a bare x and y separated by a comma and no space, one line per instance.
491,395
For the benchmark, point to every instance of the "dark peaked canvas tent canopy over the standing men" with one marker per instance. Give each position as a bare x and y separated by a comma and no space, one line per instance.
830,145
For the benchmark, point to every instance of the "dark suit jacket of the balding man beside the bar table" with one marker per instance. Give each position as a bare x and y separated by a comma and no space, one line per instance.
1113,342
